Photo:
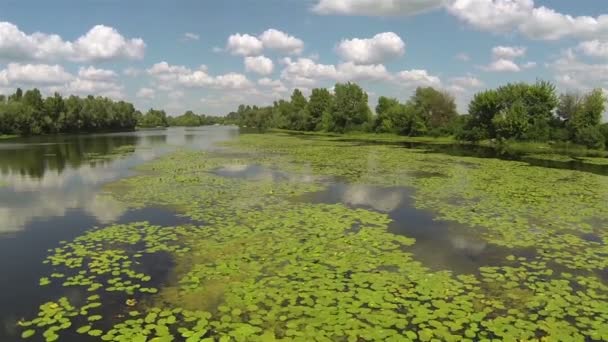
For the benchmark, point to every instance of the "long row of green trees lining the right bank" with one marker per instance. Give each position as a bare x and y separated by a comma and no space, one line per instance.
516,111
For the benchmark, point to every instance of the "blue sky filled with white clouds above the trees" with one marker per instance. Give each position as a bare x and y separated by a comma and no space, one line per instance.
210,56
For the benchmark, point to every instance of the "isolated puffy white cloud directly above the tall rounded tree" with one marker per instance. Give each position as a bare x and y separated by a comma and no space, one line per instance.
380,48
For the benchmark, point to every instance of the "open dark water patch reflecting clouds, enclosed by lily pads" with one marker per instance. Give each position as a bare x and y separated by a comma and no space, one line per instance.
439,245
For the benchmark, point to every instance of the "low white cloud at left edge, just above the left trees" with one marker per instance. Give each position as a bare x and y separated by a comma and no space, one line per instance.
34,74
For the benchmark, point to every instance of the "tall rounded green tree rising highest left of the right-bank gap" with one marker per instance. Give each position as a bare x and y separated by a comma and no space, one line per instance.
349,110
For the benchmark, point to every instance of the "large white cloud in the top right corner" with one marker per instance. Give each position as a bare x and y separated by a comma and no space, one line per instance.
522,16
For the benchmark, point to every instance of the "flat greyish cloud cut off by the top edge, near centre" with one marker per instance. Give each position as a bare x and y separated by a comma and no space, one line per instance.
376,7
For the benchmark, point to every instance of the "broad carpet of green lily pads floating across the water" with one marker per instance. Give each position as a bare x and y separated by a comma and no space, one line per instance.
262,265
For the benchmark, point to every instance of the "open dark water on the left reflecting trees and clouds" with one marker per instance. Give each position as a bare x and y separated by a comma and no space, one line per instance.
51,194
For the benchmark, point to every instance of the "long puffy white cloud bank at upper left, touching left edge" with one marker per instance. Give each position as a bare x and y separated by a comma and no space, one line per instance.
101,43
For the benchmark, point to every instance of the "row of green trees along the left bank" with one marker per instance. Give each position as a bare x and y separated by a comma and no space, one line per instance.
29,113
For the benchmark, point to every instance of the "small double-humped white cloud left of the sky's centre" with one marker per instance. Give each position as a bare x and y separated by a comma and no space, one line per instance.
272,39
